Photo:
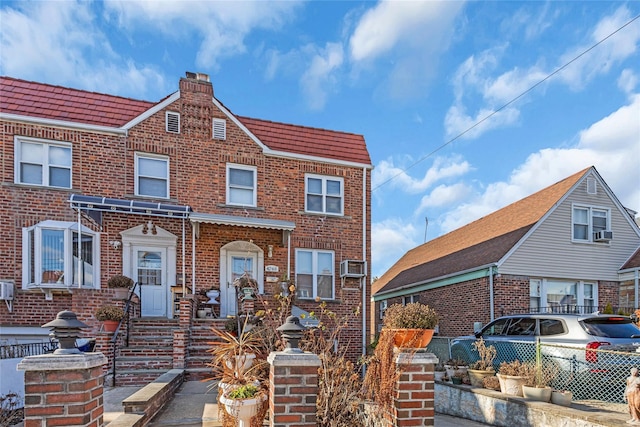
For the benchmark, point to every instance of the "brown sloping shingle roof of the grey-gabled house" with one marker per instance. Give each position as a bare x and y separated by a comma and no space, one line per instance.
479,243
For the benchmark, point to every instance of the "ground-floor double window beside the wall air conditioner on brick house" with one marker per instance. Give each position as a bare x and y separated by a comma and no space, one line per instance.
315,275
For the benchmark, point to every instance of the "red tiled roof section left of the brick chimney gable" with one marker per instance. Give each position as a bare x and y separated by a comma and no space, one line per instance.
60,103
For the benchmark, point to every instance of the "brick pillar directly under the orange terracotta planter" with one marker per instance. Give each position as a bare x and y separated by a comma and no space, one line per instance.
413,402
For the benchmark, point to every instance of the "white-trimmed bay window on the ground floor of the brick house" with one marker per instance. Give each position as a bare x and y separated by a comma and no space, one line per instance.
50,255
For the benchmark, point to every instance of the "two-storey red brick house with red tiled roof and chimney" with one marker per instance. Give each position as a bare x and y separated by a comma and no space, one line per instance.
180,195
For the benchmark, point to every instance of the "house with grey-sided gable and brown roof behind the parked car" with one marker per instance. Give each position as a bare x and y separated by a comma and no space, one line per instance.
569,247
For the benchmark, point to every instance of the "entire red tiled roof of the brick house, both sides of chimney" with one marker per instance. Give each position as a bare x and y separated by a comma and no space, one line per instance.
45,101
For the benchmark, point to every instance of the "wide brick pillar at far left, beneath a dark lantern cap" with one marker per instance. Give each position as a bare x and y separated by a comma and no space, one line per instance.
63,390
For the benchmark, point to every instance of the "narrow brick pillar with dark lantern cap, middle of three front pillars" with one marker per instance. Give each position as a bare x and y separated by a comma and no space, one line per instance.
293,389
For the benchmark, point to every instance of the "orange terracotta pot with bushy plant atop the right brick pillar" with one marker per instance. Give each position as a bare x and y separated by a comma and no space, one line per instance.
412,324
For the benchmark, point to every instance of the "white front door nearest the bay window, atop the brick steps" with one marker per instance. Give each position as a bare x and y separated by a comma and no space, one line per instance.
150,266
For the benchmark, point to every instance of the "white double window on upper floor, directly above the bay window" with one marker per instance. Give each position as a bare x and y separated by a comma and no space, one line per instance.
42,162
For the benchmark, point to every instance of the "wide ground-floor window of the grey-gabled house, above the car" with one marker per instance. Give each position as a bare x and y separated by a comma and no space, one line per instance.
562,296
